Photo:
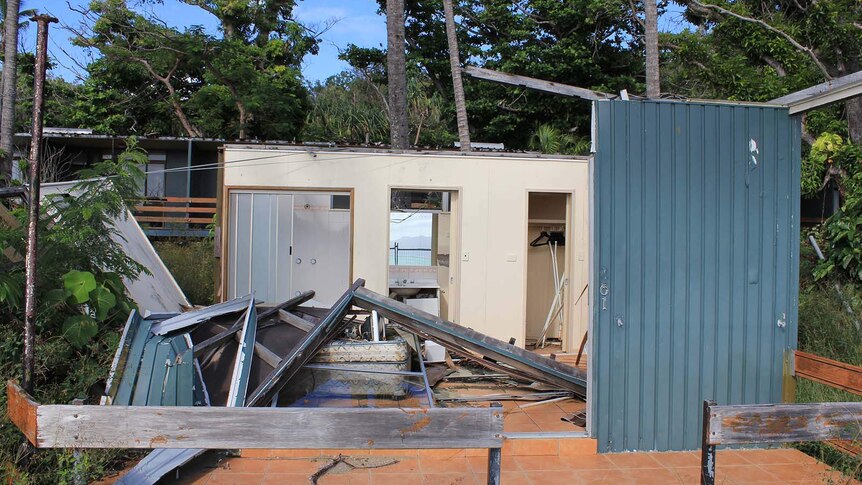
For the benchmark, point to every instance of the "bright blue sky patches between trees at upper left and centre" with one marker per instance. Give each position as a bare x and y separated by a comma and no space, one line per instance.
357,22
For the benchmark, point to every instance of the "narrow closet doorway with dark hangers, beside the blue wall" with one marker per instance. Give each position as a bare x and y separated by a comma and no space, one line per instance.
547,311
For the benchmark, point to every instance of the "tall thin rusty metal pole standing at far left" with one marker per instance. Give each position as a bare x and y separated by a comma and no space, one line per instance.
42,22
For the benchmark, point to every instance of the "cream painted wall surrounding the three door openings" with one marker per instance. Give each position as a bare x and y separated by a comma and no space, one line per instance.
493,217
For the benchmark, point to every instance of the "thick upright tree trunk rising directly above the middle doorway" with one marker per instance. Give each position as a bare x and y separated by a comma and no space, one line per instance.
396,73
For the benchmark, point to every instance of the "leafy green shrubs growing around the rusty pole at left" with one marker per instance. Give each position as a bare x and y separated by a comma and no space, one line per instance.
81,307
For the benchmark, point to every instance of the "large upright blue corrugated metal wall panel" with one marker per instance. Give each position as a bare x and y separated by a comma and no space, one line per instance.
696,249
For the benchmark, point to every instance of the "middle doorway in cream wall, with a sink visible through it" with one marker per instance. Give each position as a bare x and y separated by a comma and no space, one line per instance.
422,238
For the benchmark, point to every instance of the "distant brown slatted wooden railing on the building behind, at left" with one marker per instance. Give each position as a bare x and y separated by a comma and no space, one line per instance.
167,213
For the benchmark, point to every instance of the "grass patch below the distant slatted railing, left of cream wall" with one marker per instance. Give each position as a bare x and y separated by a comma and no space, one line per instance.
192,262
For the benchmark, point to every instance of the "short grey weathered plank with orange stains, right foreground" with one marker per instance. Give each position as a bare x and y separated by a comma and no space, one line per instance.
784,423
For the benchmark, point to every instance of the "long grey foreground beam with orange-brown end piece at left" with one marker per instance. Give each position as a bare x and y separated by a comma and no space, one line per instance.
65,426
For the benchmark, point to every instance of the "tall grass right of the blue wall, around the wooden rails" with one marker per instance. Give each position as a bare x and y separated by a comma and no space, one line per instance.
826,329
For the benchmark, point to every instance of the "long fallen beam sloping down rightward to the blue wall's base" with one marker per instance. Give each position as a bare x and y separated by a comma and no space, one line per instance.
465,340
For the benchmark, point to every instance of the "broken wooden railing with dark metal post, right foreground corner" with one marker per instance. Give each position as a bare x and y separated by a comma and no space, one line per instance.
837,423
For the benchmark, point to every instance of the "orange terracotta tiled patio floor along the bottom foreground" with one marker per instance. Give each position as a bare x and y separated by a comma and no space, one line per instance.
780,466
